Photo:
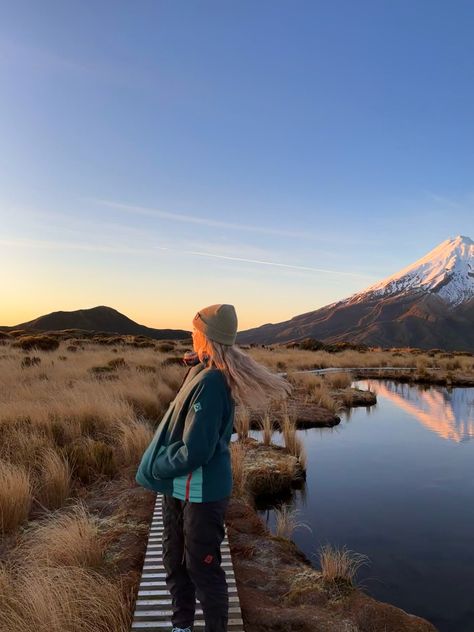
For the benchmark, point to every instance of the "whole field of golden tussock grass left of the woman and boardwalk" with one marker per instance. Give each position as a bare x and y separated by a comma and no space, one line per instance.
64,428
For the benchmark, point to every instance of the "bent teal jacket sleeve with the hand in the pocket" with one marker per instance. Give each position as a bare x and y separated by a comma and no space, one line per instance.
200,436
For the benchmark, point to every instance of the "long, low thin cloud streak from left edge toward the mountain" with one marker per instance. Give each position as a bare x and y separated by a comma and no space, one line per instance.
61,245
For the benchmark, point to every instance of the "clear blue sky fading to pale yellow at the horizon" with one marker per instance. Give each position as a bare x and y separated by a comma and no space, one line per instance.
161,156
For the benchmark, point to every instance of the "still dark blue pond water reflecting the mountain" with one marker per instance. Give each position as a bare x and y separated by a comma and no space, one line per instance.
396,482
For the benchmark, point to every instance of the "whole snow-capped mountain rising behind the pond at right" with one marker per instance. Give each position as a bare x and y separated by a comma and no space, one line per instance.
428,304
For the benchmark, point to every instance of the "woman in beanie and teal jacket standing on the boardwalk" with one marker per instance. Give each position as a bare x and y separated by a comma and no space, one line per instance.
189,462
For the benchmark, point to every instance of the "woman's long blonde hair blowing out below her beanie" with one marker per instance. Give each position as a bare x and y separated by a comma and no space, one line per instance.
251,383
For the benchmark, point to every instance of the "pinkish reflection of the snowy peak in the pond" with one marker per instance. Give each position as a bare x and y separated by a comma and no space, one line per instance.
448,413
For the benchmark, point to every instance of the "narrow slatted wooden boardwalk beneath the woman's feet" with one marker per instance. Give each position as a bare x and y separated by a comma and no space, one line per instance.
153,605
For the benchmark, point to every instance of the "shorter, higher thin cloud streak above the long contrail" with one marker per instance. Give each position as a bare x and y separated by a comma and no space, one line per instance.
179,217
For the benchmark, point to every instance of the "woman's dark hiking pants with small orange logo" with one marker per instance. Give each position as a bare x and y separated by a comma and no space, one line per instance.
192,537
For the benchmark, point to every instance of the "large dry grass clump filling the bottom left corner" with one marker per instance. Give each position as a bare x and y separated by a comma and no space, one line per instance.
62,599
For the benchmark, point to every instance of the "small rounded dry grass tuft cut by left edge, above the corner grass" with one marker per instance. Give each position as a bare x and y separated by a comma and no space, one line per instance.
15,496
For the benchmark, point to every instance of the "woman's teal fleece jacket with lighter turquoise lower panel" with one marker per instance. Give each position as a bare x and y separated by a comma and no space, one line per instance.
189,456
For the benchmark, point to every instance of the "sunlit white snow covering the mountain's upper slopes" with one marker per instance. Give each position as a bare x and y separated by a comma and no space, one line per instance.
447,271
